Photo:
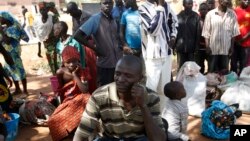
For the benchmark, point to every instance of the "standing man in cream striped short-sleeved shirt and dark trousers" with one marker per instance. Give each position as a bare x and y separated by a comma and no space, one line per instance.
219,30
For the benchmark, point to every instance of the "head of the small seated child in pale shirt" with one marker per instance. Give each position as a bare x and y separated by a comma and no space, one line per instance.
174,90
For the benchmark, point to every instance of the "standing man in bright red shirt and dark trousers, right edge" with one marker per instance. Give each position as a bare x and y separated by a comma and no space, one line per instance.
241,52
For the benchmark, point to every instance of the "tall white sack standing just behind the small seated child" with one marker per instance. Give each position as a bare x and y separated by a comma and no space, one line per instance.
195,85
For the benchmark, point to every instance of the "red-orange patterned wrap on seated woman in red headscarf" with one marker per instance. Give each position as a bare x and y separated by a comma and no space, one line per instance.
67,115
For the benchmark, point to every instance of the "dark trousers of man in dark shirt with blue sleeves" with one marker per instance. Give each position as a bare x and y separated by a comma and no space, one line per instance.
105,76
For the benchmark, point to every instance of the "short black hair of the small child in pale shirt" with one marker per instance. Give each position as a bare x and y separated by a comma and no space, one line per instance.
171,89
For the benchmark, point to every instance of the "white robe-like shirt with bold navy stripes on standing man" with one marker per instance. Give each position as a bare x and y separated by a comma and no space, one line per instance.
158,23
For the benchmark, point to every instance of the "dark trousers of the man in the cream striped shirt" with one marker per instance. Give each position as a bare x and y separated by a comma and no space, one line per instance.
218,63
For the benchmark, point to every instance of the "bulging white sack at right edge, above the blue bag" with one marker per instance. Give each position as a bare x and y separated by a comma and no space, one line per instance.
239,92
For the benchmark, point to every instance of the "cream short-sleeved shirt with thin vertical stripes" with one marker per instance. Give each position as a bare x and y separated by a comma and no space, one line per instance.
220,30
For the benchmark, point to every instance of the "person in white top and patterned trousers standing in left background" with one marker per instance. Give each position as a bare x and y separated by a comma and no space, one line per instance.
43,25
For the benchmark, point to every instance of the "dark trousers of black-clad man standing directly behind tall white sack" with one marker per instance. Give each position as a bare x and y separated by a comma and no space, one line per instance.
183,57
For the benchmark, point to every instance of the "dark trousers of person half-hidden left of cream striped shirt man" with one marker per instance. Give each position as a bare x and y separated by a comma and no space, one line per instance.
200,58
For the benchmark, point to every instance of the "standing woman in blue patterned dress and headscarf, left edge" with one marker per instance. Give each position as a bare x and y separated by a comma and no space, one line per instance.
12,32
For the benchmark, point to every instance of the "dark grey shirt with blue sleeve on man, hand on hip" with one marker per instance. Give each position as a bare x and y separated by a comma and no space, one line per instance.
104,31
